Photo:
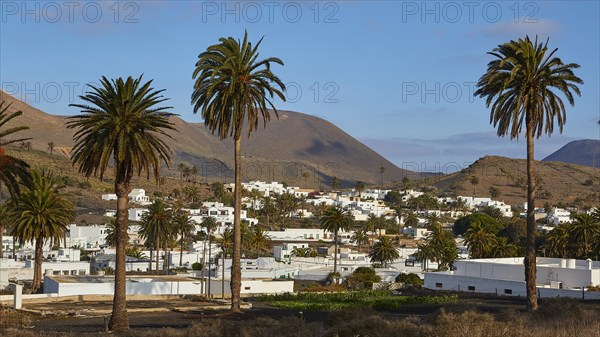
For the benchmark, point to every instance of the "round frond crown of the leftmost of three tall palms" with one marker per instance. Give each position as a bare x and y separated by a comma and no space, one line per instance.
121,122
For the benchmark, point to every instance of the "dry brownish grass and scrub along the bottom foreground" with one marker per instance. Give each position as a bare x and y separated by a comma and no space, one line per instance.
555,318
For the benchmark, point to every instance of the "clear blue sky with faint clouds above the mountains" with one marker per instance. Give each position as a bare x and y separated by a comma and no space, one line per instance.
398,75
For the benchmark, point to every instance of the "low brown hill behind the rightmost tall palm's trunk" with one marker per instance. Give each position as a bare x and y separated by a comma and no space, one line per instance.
558,182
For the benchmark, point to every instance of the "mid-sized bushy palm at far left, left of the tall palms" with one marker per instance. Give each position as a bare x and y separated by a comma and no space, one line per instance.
42,215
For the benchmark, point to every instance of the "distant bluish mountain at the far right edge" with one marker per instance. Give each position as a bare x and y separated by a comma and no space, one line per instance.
580,152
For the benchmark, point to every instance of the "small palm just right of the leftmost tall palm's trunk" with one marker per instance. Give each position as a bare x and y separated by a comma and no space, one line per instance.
157,227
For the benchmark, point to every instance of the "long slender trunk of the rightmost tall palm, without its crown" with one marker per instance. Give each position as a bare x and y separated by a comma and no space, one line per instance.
530,258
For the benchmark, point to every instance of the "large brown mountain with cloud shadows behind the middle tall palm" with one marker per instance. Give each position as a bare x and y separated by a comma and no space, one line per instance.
283,151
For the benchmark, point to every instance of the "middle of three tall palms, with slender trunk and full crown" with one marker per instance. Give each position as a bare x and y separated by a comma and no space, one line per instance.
232,86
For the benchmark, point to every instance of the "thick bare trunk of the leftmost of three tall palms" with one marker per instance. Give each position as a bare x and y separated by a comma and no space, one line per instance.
119,321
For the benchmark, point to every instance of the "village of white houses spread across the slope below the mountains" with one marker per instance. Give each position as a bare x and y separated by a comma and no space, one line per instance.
293,247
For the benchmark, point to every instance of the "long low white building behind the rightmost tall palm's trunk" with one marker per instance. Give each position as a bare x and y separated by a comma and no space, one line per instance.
505,276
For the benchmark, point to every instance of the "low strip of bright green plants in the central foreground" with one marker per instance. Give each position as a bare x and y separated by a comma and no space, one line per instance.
374,299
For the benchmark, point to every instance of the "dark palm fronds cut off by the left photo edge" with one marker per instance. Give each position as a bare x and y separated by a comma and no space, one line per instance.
11,169
